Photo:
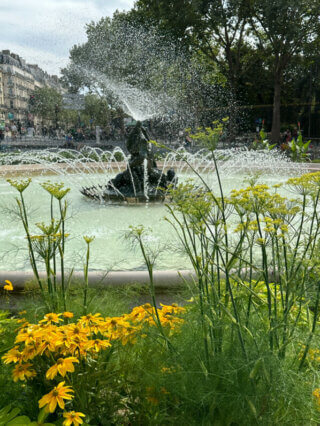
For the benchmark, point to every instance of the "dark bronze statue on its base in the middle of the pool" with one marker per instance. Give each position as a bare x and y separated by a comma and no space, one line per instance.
141,181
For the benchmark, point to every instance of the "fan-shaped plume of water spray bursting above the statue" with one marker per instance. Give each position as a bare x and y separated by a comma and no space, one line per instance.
142,69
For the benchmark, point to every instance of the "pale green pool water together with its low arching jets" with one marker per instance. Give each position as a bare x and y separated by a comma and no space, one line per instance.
109,221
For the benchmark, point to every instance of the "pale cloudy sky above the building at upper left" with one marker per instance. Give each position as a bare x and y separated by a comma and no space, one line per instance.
43,31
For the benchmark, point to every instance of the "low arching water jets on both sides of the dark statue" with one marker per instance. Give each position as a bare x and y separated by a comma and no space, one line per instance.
92,162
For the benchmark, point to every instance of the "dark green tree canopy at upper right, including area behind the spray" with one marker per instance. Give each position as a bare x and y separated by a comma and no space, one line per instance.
200,58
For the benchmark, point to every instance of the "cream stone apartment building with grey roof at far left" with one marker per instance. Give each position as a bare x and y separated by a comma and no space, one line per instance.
17,82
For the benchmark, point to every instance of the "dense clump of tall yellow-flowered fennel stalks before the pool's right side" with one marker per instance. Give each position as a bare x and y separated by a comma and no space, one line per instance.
269,241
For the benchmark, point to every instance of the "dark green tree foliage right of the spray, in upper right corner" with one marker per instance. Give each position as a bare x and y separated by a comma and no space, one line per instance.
237,38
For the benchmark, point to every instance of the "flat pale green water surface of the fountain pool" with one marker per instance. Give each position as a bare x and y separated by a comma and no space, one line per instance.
107,222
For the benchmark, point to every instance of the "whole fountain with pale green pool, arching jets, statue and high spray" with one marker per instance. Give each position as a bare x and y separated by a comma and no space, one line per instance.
148,80
